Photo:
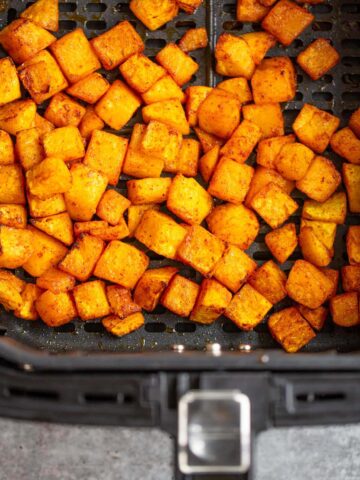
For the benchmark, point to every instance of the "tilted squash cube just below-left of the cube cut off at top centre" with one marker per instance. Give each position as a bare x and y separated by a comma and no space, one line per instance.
117,45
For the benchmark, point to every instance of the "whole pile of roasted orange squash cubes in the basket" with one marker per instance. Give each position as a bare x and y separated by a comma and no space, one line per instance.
192,196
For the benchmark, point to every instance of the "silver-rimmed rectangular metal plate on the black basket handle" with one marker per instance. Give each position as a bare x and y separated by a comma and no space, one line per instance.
214,433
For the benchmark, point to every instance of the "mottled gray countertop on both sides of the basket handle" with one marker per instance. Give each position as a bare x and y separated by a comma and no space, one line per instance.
43,451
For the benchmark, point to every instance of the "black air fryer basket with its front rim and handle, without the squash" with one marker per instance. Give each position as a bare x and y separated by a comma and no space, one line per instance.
78,373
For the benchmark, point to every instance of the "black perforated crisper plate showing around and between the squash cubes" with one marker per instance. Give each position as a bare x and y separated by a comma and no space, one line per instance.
337,92
